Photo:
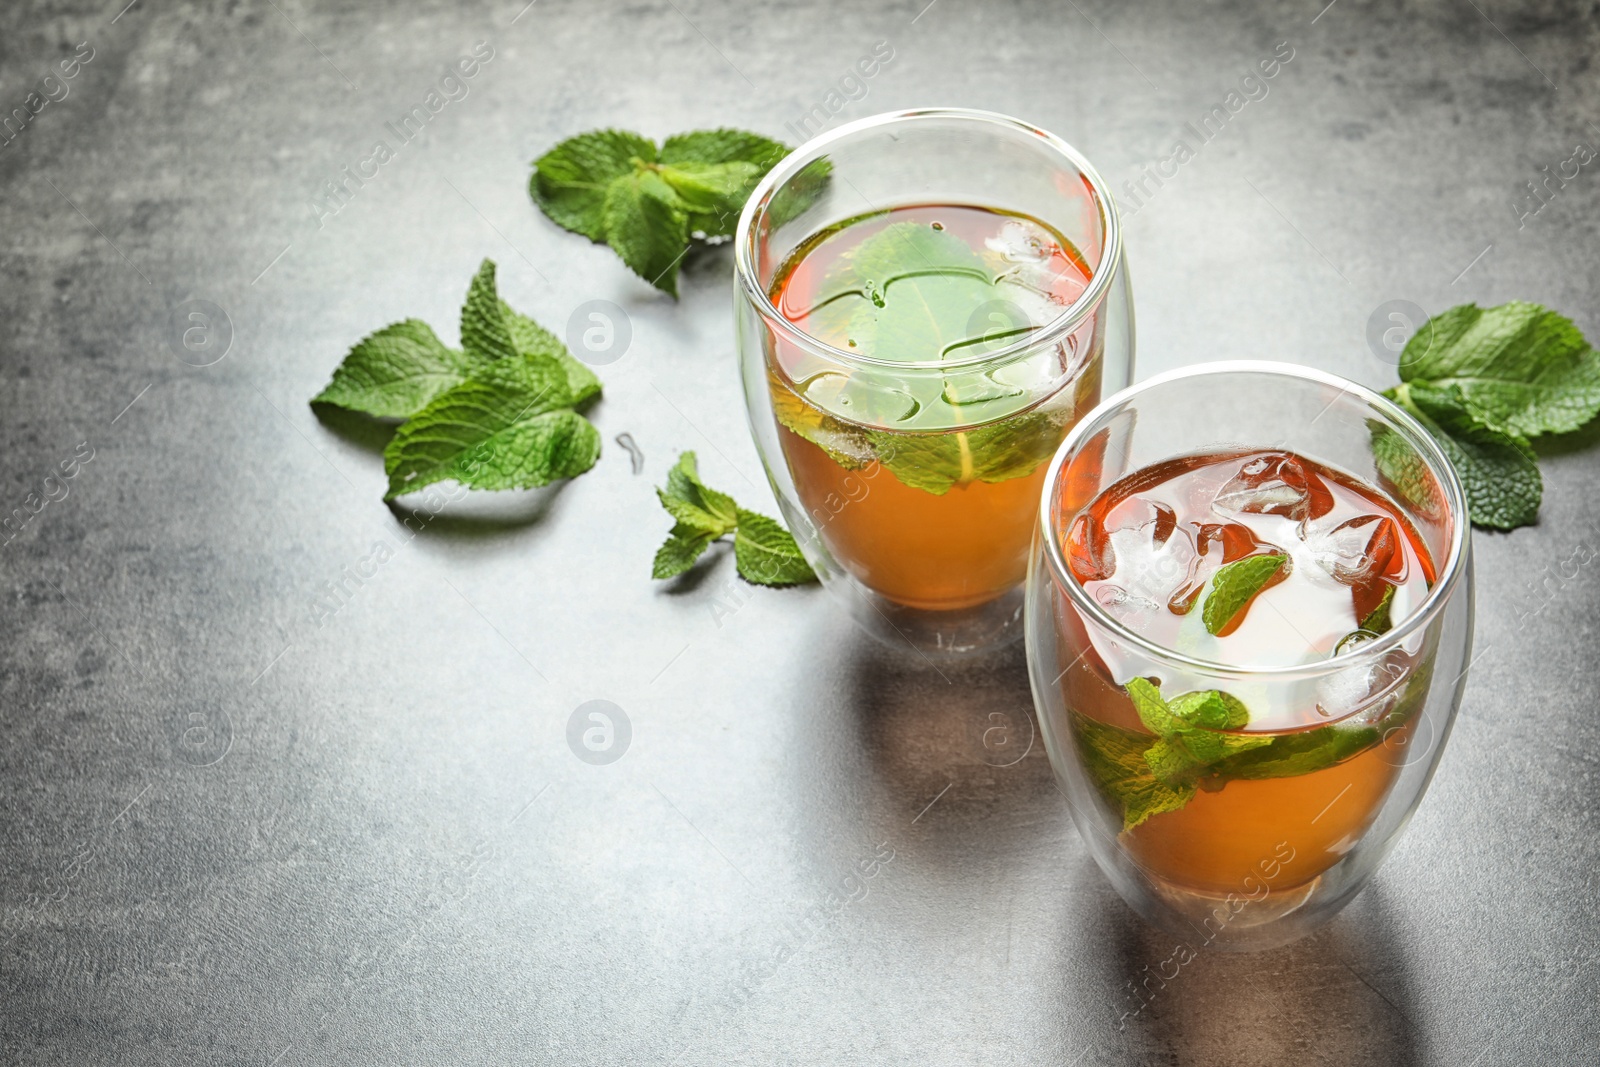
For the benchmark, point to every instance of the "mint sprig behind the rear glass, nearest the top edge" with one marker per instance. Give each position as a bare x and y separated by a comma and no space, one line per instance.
617,188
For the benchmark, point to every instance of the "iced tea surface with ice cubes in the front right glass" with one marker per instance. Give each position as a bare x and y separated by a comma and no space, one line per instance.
1151,548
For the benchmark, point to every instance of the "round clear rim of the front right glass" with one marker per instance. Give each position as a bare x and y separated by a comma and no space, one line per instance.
1439,463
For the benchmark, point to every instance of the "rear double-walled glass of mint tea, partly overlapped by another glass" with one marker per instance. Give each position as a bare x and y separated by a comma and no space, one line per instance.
911,484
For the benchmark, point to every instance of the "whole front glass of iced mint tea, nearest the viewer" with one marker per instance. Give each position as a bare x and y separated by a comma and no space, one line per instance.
1250,613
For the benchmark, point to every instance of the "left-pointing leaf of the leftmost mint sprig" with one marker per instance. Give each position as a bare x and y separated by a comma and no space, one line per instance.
396,372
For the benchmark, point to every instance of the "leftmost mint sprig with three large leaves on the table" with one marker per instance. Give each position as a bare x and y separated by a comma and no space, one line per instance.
498,414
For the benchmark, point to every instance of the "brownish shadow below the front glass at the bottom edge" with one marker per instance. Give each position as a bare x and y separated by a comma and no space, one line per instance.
1342,996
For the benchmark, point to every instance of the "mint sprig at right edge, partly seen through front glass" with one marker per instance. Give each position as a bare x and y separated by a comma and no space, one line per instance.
1486,382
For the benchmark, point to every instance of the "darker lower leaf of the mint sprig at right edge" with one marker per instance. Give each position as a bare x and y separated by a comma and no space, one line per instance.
1498,470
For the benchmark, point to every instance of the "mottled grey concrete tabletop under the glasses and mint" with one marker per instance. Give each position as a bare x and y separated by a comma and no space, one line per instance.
239,831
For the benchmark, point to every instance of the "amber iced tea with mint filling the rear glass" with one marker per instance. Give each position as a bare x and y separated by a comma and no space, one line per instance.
924,481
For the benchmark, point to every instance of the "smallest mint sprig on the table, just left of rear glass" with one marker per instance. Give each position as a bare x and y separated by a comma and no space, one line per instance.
764,553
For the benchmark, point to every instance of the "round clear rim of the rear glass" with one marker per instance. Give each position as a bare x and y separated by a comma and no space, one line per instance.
1102,274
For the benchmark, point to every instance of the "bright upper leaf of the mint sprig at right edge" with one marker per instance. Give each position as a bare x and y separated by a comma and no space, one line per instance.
1521,369
